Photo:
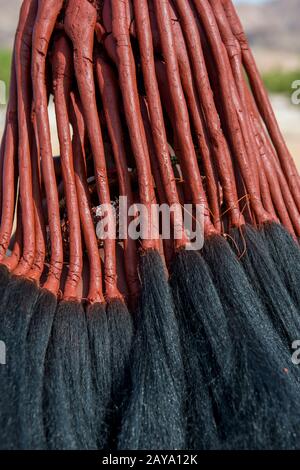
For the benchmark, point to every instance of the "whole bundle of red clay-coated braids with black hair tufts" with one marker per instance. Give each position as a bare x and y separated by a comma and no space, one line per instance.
148,342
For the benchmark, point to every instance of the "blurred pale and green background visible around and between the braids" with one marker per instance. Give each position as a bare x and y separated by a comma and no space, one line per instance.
273,29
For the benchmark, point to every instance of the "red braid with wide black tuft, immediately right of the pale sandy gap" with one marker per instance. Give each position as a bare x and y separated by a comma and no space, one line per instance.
70,380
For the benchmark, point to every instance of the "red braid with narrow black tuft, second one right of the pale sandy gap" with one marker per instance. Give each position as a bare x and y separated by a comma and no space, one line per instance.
97,323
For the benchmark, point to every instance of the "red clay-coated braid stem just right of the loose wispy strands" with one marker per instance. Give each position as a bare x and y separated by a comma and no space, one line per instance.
223,68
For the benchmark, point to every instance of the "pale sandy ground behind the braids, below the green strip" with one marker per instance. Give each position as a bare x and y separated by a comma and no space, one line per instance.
288,116
